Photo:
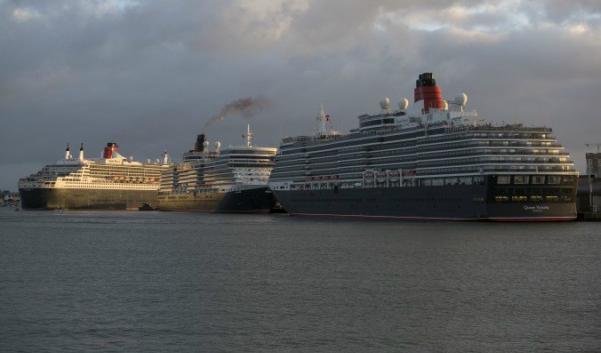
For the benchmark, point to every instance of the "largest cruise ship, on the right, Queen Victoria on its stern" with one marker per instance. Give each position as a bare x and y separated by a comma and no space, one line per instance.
433,159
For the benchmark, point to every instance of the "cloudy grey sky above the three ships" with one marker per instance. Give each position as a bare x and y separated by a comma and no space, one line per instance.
149,74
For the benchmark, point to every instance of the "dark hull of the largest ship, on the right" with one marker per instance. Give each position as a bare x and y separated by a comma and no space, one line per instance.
458,202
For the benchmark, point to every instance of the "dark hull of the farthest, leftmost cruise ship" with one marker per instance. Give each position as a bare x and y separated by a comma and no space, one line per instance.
86,199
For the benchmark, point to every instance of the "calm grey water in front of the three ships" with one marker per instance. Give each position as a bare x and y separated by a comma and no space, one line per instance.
176,282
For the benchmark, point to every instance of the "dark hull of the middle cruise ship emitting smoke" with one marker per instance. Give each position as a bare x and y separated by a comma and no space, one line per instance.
258,200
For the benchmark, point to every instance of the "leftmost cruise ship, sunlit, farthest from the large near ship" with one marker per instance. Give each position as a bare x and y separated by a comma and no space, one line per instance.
111,182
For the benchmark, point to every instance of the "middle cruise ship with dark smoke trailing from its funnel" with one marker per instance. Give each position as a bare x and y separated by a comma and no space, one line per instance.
232,180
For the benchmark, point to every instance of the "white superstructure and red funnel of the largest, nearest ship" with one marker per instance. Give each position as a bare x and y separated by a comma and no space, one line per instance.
430,142
